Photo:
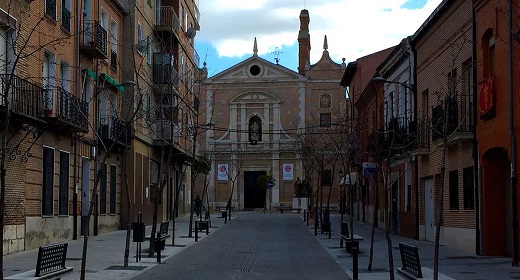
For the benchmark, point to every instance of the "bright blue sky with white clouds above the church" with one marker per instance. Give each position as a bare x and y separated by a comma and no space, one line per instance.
354,28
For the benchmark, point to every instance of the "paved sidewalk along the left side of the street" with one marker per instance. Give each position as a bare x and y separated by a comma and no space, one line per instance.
105,253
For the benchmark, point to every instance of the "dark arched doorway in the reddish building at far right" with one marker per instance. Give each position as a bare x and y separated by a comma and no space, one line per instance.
496,203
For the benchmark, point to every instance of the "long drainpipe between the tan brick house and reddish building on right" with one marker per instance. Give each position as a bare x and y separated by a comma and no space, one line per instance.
476,169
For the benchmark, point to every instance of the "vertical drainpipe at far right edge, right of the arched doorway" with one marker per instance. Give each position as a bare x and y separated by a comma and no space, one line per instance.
511,132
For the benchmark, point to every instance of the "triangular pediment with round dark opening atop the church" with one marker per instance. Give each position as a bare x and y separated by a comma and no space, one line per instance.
256,69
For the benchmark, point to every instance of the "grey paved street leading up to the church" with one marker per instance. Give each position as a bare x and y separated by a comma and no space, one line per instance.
253,246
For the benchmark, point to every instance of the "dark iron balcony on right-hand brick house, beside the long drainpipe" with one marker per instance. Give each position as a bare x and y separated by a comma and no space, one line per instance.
453,119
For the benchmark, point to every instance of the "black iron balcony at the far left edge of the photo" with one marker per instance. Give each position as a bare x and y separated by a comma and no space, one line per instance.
25,99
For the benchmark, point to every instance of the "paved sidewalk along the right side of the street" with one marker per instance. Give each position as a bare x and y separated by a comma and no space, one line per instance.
453,264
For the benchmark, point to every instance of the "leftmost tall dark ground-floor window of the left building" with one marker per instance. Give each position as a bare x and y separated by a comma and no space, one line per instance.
48,181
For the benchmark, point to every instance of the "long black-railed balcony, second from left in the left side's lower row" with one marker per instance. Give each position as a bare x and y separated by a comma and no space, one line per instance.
63,111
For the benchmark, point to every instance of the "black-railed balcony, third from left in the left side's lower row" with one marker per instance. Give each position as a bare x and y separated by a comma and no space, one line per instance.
114,131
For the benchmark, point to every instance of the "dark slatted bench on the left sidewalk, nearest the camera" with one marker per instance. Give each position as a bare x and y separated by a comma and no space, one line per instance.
50,264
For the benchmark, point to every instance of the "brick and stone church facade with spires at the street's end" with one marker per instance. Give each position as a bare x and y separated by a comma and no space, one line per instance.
259,113
